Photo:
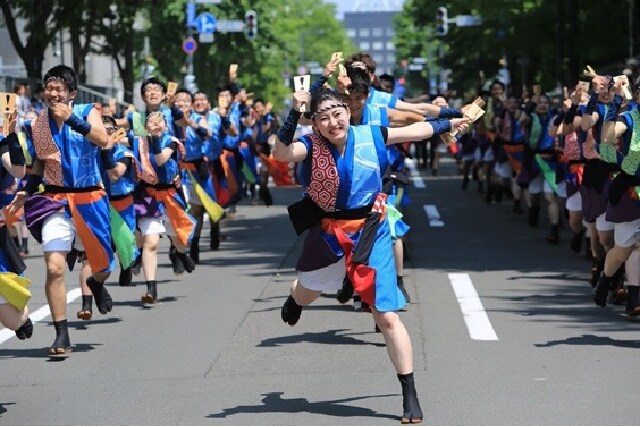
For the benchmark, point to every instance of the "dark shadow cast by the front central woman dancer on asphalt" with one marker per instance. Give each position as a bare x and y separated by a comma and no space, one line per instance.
274,403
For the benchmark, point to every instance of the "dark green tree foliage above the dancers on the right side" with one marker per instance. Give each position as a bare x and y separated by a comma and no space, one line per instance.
544,42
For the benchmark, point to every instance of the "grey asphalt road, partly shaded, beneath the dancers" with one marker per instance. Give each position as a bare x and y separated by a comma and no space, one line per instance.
534,349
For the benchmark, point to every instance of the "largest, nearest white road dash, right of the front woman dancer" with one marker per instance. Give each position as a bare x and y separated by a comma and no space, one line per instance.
473,312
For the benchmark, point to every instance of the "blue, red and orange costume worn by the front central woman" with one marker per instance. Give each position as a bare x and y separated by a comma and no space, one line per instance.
349,221
